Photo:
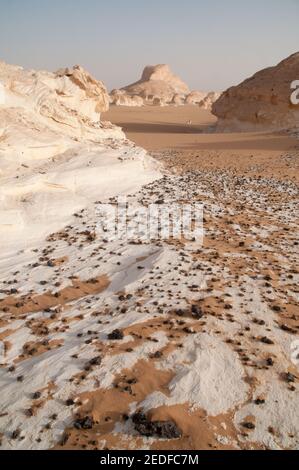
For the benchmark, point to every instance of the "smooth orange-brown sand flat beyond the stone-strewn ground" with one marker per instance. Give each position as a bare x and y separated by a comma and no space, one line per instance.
191,136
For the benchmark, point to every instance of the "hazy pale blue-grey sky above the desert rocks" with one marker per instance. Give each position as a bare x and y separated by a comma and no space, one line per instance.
210,44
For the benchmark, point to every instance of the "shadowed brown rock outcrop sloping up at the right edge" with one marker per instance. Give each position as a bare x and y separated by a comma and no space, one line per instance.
262,100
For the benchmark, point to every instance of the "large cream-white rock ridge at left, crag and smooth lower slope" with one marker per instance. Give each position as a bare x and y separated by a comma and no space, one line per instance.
56,156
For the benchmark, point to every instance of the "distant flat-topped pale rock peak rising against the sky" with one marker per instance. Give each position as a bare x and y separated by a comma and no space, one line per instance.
158,82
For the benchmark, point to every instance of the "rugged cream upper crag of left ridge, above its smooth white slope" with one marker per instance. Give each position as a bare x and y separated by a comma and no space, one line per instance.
44,114
